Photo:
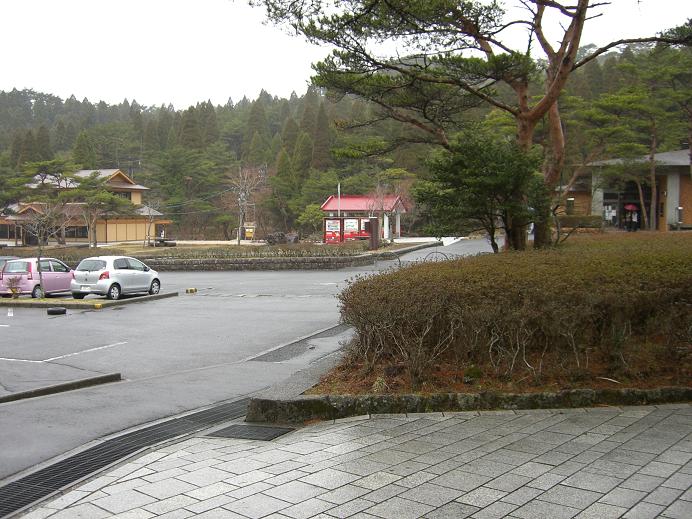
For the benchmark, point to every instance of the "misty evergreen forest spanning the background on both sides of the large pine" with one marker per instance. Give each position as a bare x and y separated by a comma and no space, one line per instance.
629,102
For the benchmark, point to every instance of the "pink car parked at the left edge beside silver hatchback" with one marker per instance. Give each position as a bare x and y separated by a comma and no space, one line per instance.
22,276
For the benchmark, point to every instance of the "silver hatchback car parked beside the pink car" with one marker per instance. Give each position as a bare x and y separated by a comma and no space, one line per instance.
113,276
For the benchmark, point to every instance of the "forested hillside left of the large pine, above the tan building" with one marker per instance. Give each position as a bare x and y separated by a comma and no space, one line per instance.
191,158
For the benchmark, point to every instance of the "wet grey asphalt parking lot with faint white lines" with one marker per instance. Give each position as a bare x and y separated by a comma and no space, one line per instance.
174,354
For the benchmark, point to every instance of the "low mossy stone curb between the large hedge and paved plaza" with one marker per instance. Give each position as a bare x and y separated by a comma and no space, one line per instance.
330,407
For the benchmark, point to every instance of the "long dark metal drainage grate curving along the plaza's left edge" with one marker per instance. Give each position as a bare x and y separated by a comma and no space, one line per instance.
23,492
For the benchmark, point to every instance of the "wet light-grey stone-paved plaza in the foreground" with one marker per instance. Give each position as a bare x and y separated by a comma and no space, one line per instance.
632,462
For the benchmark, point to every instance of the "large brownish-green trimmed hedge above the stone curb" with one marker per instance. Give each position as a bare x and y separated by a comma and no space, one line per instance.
600,300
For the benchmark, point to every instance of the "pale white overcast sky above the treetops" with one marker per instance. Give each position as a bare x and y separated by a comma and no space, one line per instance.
186,51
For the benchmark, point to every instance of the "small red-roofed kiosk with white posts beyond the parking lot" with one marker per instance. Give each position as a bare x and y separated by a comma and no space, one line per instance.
347,217
